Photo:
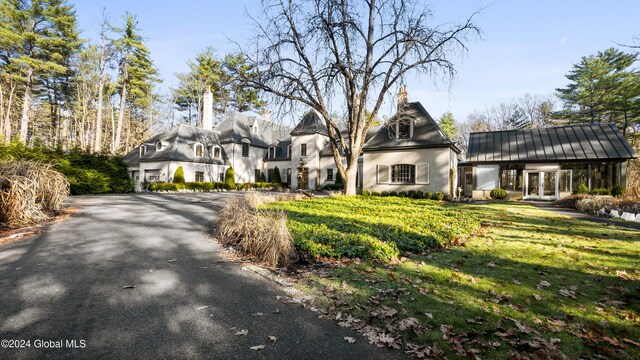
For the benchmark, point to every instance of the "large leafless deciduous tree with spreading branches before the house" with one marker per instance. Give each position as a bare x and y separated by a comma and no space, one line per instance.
352,53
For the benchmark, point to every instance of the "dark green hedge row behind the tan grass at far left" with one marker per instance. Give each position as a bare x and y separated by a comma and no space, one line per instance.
87,173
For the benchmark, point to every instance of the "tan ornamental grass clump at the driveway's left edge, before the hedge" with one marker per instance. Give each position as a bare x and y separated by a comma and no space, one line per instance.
28,190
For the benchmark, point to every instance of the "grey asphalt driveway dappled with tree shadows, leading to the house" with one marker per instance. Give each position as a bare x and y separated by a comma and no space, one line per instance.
135,276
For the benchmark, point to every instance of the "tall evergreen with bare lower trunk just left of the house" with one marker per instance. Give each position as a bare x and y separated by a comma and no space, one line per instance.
136,75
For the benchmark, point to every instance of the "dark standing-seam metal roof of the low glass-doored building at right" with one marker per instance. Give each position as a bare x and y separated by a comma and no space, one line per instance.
577,142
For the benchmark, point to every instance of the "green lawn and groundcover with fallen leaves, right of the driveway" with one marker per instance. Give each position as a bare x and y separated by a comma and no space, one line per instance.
529,283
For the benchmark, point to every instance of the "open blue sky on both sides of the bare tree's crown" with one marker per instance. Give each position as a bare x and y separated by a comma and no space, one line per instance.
526,46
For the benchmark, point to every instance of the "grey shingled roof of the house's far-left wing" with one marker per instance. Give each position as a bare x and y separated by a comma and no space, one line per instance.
177,145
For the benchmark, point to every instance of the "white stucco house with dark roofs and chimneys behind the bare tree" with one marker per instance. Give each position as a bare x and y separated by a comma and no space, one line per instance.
408,152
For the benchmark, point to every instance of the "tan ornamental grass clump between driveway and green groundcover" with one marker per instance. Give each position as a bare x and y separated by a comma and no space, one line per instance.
261,233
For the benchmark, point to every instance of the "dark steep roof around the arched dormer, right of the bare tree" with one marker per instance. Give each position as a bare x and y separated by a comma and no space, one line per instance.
426,133
